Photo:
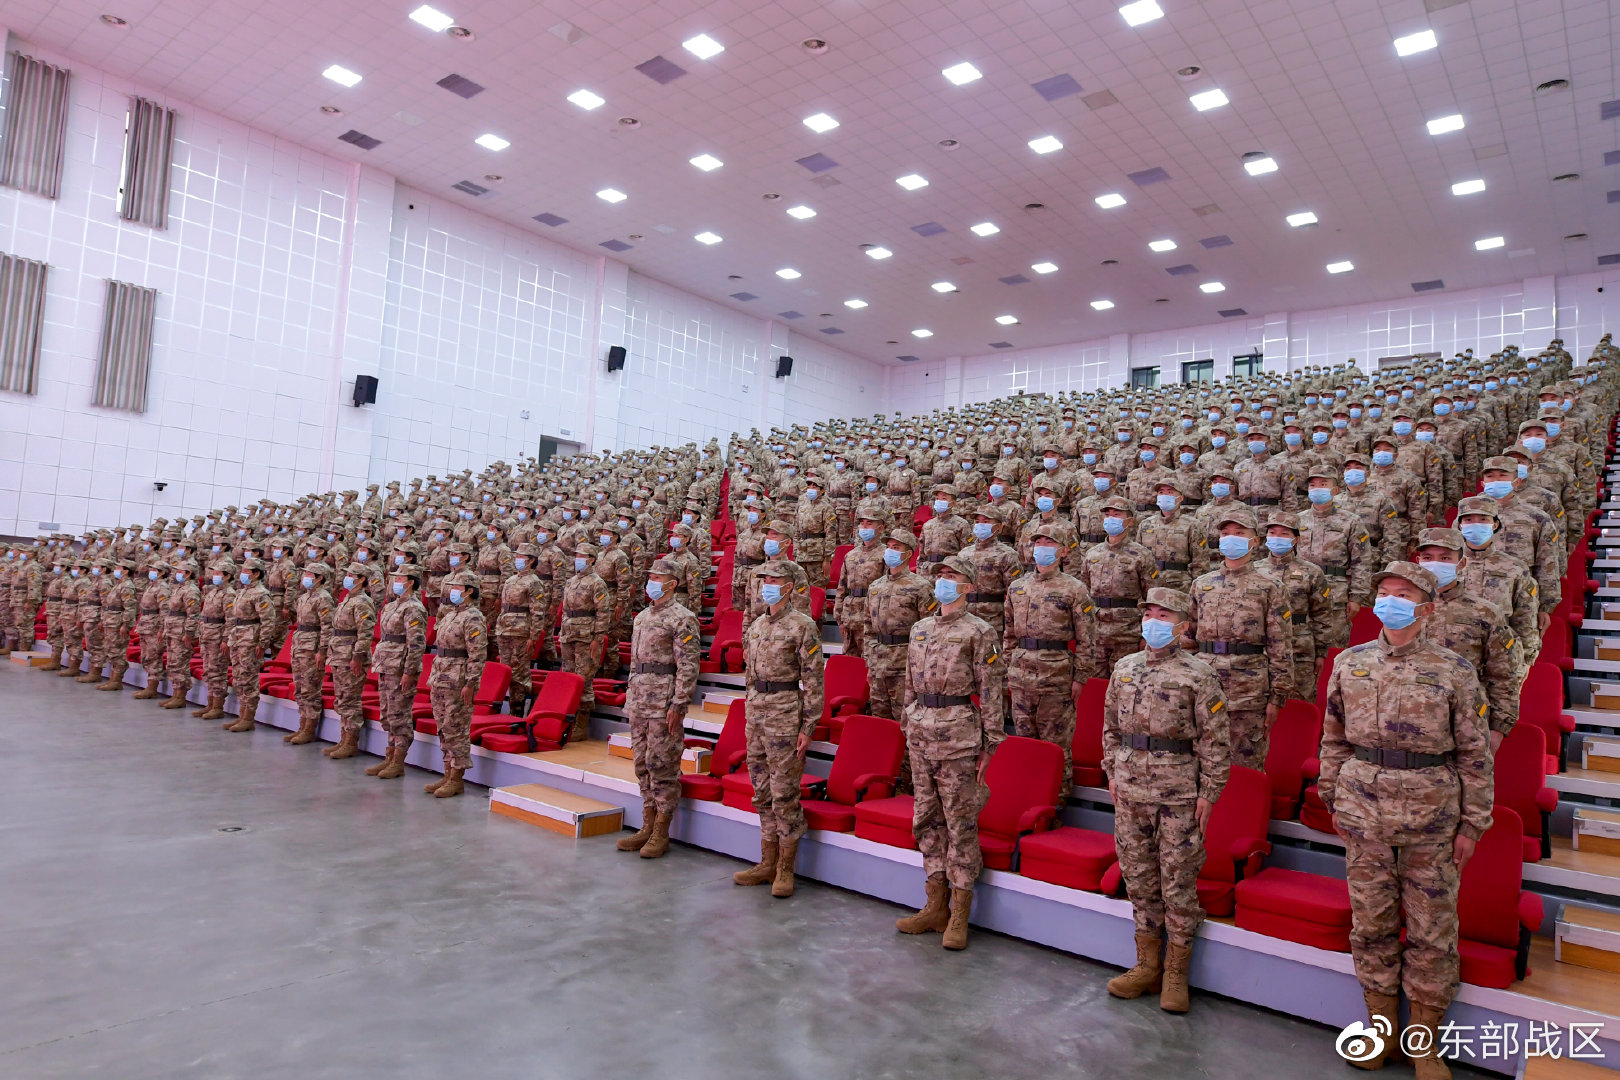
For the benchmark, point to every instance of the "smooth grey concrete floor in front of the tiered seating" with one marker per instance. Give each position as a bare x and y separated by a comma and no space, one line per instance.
360,929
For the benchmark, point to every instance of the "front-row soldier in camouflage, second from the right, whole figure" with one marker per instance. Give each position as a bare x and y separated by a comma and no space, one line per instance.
1167,757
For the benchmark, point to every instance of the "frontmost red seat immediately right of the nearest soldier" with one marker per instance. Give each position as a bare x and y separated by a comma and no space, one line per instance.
1496,914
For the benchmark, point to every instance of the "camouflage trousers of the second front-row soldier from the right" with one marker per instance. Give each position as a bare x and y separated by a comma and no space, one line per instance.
1161,854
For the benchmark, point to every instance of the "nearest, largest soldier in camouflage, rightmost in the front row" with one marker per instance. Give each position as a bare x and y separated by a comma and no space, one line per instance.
1407,776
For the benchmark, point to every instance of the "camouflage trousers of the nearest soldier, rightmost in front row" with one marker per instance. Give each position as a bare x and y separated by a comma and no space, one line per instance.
1420,878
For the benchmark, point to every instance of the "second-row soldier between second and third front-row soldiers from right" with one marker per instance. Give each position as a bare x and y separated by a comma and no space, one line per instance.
1049,611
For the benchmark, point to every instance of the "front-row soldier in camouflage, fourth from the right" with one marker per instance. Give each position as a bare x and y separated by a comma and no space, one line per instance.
787,684
